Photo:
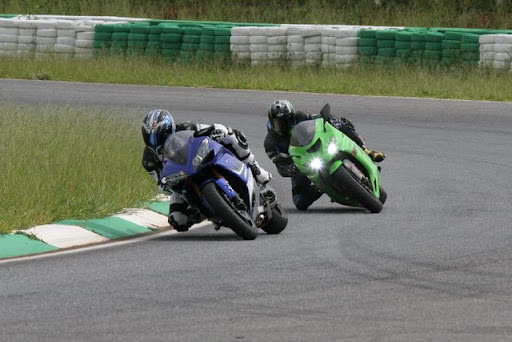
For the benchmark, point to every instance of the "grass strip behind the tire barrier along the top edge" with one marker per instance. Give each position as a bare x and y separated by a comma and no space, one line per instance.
439,13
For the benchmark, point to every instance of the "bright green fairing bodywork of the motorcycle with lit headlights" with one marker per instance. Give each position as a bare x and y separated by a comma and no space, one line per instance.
303,158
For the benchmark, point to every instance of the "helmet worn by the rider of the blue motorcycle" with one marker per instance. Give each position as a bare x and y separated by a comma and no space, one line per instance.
158,124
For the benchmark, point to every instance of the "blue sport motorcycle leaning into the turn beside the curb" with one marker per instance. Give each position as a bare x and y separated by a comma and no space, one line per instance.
221,187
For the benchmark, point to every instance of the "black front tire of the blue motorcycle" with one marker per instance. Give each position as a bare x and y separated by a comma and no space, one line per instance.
228,214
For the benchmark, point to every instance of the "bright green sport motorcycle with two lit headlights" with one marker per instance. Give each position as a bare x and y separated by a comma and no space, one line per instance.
336,164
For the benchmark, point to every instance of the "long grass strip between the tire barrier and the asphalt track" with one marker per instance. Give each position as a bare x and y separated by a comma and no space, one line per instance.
438,81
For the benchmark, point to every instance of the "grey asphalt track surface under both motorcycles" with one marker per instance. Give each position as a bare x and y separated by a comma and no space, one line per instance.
434,265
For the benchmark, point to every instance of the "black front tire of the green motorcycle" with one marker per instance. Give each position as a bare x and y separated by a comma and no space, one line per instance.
347,180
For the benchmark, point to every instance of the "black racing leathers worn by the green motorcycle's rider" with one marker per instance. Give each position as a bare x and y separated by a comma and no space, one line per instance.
304,193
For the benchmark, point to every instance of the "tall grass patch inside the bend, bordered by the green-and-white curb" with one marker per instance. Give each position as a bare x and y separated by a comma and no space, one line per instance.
61,162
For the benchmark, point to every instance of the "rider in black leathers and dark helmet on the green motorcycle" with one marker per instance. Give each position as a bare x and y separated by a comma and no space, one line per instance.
281,120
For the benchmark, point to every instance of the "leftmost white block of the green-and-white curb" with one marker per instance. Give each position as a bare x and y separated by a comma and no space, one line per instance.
64,236
